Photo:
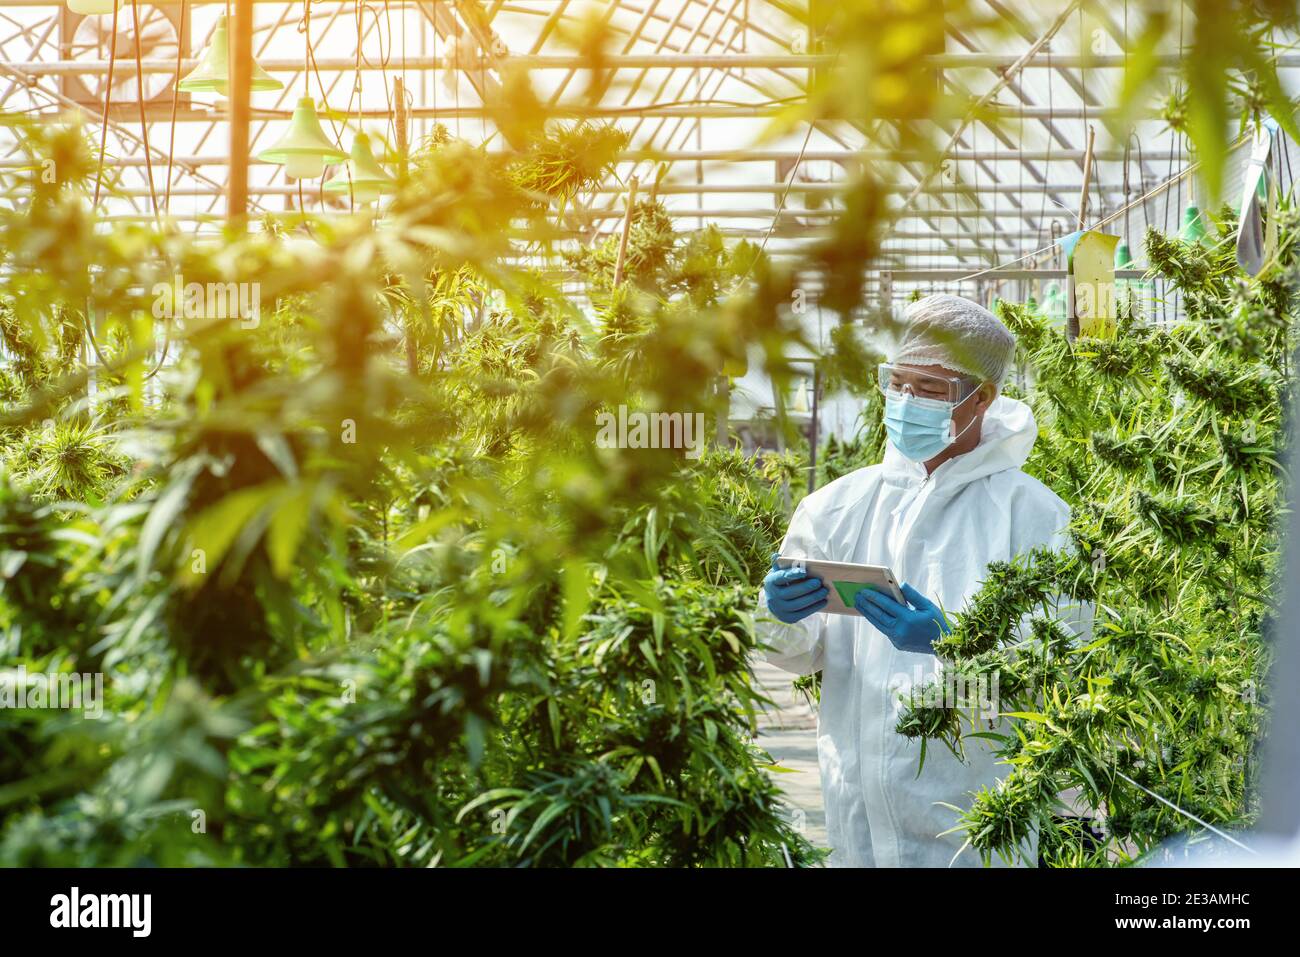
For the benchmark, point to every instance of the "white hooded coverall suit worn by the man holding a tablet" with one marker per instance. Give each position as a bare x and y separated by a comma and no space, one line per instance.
939,534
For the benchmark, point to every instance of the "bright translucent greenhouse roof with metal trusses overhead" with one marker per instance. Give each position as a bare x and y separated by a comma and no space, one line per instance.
709,92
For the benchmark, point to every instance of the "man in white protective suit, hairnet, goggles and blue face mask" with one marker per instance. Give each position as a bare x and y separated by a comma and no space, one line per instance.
948,500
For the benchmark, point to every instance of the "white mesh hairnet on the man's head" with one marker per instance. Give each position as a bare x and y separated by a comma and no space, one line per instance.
957,335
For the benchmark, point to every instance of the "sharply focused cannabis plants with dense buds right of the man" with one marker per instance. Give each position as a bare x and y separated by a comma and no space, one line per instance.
1167,443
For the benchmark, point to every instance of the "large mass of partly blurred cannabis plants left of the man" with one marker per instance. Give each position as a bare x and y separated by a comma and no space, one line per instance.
361,584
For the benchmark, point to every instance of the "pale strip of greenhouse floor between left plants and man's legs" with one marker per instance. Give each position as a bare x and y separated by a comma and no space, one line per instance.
788,733
